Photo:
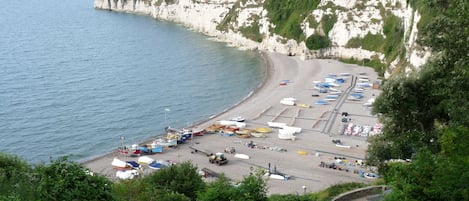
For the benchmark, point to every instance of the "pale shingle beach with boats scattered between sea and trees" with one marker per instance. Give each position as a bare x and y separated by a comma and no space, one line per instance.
321,124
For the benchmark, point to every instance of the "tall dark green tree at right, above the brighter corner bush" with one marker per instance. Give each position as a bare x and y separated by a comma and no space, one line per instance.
414,107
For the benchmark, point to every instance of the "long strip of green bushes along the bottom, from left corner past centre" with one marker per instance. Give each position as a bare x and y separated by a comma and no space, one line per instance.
66,180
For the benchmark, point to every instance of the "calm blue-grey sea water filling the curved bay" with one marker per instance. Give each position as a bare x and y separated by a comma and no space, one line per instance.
74,79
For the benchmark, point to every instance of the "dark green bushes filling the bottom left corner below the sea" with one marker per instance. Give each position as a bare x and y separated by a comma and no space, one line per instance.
60,180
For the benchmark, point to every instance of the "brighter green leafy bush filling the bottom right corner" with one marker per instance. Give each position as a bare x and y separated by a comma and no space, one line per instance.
441,176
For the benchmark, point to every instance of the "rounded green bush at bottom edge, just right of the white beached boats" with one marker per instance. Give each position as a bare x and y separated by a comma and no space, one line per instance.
181,178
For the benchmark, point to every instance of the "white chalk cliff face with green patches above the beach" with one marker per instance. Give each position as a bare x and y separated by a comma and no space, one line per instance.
228,20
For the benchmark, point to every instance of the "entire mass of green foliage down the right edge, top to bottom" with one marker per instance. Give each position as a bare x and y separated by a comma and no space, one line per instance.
426,113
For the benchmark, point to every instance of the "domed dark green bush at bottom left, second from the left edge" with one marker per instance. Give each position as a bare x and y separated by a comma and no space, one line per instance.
66,180
